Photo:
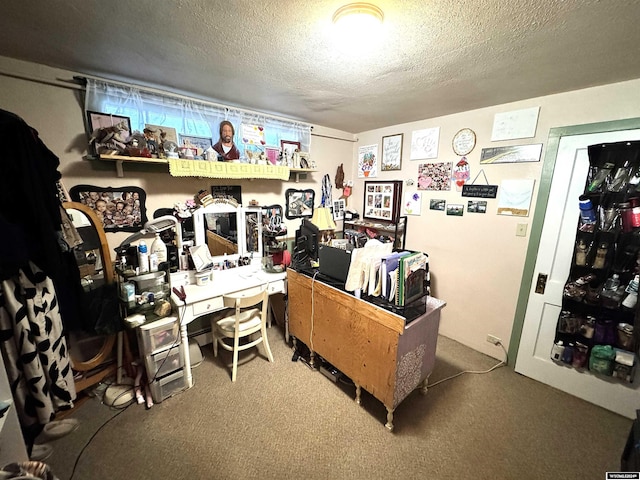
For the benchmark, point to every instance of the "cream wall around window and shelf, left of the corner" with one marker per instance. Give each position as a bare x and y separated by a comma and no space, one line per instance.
57,113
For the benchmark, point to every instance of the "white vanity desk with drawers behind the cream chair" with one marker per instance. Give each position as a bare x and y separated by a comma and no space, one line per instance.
202,300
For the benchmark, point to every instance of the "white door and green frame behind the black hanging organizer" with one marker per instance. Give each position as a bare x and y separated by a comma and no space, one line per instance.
549,253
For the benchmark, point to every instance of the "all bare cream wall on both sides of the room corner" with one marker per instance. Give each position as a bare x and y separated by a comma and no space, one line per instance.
476,259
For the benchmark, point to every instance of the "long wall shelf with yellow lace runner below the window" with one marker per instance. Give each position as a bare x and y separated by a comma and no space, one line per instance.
199,168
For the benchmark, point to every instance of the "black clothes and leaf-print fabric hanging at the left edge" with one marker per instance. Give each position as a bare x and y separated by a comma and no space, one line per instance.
35,291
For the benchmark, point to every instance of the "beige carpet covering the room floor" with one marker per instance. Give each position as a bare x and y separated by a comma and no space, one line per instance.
284,421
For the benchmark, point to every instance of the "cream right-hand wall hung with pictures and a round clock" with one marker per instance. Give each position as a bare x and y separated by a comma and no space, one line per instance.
477,260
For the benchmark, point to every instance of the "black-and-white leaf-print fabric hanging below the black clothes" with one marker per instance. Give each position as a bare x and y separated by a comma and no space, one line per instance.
34,347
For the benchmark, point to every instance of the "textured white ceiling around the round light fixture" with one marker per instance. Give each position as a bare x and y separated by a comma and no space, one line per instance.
433,58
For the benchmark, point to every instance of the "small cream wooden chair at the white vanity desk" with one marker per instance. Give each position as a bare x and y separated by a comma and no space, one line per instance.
242,321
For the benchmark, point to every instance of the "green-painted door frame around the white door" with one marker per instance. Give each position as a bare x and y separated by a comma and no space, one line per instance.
542,200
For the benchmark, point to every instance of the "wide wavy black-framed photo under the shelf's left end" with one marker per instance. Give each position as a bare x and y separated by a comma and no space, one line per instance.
121,209
